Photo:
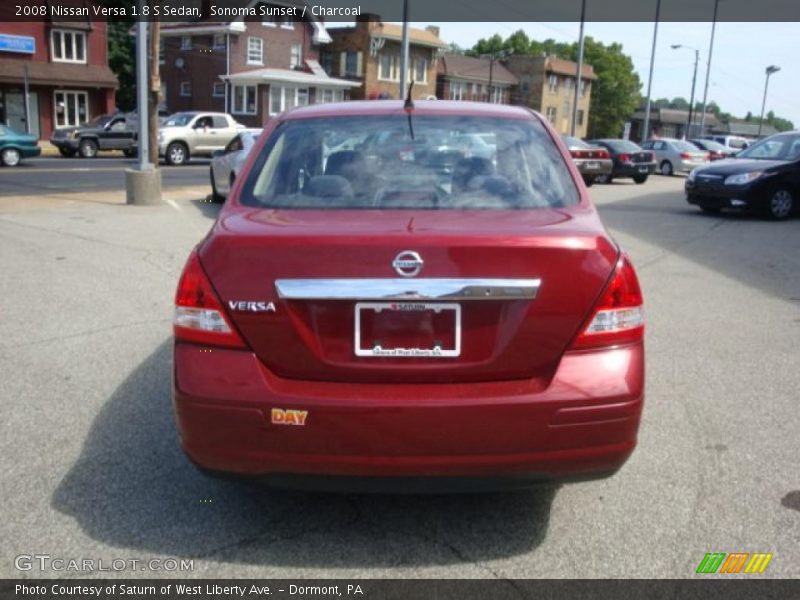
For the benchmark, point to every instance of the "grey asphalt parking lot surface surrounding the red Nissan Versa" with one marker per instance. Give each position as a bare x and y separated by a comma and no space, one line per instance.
92,468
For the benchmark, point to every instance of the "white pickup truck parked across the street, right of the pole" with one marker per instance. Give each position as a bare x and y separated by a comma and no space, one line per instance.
188,134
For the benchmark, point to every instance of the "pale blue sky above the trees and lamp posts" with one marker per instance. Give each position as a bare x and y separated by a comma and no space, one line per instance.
742,51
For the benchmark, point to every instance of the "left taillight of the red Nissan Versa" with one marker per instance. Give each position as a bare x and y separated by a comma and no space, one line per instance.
199,316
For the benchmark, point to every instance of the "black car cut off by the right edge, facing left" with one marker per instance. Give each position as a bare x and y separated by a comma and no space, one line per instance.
763,178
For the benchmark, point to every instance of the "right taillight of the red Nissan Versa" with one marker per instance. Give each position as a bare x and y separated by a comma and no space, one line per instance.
618,316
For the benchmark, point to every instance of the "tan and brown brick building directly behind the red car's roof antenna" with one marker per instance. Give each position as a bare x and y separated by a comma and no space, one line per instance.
369,54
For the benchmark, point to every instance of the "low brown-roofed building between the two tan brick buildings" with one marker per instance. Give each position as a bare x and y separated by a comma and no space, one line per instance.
478,79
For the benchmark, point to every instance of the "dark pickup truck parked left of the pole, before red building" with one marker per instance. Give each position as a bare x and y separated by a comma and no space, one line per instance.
107,132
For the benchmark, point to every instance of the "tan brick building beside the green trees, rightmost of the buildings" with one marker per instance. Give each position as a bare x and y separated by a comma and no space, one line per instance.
547,85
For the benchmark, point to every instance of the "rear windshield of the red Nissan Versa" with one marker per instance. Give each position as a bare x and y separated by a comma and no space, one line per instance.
391,162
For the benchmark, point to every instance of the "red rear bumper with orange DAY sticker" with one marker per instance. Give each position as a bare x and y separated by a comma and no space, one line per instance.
583,424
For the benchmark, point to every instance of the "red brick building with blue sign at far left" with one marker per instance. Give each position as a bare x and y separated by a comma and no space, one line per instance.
65,65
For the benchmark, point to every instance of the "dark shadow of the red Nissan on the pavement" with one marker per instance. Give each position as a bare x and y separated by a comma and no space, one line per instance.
133,488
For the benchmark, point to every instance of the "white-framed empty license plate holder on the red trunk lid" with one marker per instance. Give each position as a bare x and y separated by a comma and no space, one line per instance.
408,329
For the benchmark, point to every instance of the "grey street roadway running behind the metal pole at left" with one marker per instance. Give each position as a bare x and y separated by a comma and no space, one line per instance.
47,175
